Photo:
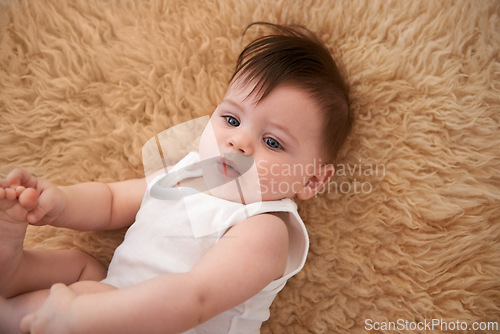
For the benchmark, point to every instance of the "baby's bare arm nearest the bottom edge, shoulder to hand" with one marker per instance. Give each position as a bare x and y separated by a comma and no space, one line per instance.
249,256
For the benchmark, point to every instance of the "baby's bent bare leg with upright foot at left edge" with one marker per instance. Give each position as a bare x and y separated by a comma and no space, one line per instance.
22,270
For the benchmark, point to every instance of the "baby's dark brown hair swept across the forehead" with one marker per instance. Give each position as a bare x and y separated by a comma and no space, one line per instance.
294,55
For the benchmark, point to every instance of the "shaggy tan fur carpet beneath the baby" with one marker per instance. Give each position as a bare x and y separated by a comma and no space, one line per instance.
408,229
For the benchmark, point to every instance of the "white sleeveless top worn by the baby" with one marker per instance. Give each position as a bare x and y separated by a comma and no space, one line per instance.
171,235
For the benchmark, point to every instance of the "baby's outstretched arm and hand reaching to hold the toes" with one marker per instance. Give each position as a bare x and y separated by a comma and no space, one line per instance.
86,206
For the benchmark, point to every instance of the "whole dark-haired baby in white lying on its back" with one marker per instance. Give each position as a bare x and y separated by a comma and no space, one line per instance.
211,241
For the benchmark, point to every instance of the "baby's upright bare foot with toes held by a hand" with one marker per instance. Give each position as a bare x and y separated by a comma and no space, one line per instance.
15,204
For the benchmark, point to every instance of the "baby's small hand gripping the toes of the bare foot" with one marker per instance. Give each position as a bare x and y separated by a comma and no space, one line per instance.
26,198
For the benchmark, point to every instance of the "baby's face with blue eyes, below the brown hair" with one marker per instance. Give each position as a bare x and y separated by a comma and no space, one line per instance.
281,134
